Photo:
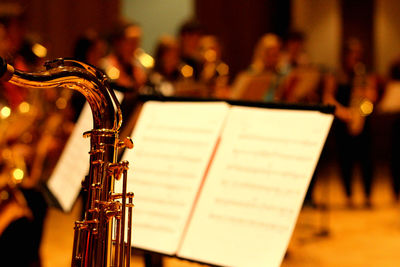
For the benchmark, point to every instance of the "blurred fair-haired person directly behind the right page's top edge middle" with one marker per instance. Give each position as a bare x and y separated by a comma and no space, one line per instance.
263,78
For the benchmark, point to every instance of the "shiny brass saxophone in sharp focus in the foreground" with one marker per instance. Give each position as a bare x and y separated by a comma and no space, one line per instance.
99,239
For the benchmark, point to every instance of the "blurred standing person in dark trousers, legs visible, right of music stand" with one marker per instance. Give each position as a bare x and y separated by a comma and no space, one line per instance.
353,91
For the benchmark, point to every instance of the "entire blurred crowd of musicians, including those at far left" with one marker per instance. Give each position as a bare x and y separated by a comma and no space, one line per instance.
34,125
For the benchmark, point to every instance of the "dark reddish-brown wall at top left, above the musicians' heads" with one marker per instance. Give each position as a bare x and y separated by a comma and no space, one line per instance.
60,22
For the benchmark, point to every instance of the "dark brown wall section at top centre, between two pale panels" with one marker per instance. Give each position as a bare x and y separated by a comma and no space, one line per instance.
239,25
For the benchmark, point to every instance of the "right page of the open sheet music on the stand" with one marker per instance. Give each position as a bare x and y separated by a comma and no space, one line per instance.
255,187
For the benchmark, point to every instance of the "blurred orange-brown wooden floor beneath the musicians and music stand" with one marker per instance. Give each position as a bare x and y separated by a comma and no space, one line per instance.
331,235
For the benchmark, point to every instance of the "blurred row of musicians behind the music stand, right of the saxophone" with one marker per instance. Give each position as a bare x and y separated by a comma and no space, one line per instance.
191,65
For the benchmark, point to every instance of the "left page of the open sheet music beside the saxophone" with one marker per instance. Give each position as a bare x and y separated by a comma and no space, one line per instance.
173,145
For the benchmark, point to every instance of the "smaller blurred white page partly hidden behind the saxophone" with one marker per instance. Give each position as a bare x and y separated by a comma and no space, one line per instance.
65,182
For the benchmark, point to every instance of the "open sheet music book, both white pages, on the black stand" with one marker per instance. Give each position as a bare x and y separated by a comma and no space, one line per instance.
221,184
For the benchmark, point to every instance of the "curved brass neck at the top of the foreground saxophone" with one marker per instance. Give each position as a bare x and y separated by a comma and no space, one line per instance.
75,75
